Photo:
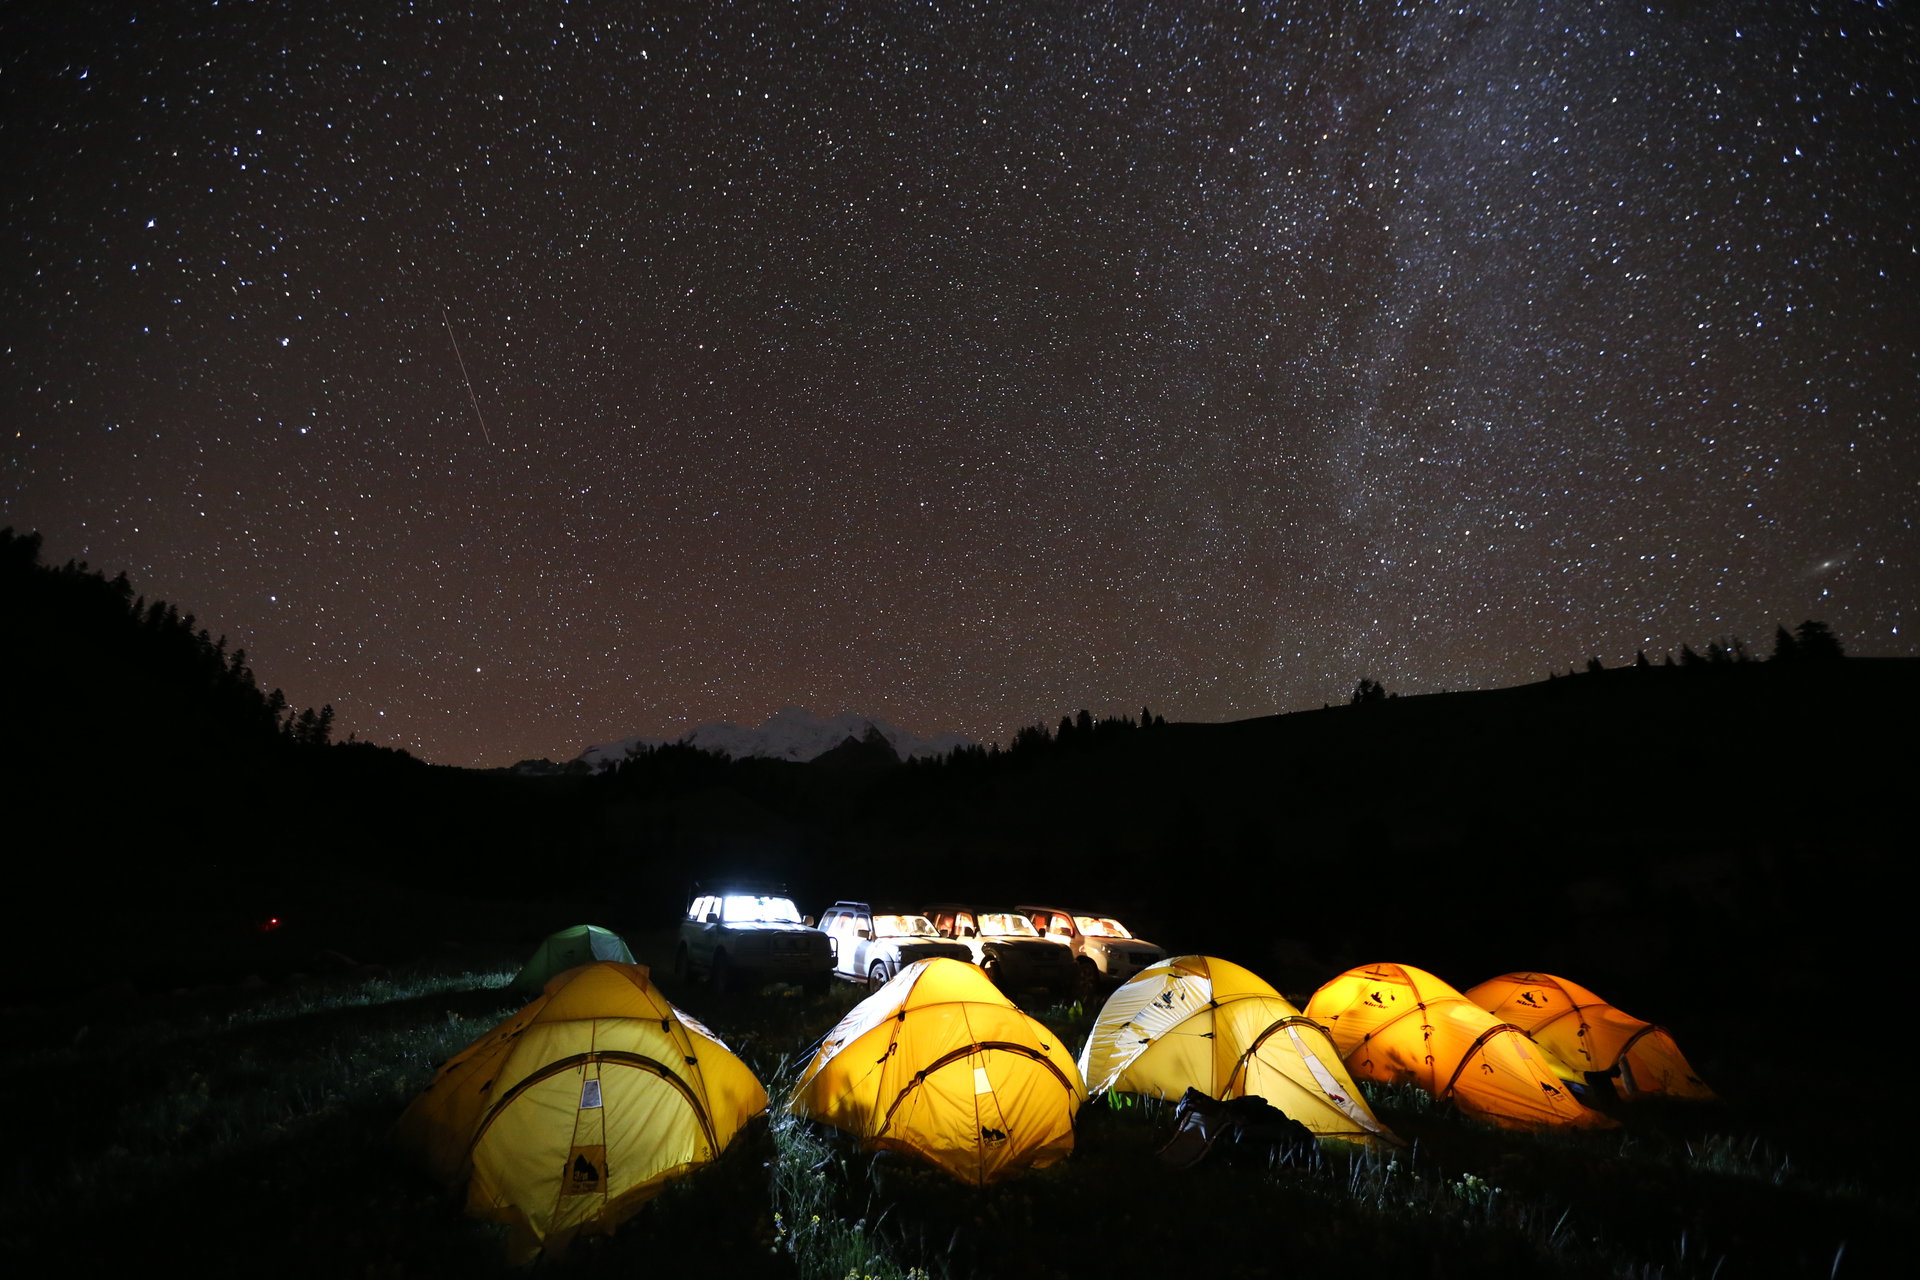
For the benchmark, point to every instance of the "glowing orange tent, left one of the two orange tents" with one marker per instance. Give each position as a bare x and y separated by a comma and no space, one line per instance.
1403,1026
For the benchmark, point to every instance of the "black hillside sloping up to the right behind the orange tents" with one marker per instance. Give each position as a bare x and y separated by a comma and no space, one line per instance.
1631,822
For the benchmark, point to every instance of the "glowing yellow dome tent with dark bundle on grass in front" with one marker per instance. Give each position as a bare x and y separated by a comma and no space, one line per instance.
1207,1024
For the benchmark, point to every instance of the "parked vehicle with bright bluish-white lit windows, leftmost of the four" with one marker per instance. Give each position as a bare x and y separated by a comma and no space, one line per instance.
748,937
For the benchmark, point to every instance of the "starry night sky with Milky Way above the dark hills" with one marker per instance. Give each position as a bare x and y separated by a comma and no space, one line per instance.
961,364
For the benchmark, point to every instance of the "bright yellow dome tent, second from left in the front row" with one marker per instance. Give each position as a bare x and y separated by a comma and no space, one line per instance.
942,1066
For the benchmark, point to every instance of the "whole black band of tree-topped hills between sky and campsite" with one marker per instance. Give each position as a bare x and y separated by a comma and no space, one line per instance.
1621,824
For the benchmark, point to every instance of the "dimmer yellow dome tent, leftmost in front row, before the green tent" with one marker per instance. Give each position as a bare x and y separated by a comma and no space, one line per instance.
575,1112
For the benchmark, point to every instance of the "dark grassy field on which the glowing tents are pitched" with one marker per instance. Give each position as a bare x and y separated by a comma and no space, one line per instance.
245,1131
